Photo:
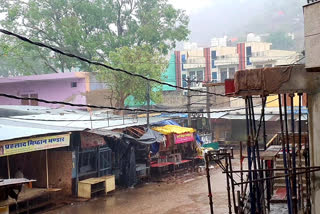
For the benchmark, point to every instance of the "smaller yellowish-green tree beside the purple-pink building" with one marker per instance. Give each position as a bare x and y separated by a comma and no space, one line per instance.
142,60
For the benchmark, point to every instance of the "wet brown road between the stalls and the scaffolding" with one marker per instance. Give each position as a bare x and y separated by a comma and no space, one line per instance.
179,197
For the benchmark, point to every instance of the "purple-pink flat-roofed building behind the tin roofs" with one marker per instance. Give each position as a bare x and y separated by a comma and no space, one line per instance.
68,87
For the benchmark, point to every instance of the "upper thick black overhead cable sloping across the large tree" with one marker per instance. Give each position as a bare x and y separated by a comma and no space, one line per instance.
100,64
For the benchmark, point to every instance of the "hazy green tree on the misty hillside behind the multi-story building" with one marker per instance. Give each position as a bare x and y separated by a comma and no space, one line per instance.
280,40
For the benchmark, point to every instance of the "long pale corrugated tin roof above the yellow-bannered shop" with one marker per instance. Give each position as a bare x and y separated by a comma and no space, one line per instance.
51,121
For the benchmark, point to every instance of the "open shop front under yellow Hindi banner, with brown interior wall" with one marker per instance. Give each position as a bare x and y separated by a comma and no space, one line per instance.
36,158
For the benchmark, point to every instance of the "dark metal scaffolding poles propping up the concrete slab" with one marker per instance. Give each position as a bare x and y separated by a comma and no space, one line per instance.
260,173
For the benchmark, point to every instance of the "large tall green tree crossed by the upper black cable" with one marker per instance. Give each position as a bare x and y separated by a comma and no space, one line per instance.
88,28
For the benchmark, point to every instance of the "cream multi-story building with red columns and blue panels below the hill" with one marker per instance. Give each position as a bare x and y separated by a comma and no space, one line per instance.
220,62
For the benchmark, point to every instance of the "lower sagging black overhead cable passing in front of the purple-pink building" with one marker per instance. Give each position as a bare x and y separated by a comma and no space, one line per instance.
120,109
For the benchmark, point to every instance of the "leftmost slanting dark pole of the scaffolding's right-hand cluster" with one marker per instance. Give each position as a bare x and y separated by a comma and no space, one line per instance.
289,202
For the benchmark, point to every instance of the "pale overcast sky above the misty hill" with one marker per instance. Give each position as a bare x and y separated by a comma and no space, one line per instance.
216,18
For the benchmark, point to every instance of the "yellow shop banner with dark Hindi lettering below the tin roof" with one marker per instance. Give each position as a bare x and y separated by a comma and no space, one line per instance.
33,144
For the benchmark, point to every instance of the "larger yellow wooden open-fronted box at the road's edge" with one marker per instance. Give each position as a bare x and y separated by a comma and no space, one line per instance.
91,187
